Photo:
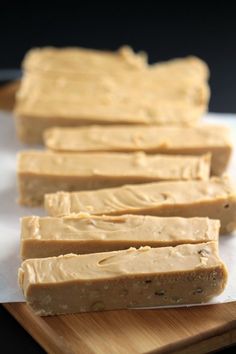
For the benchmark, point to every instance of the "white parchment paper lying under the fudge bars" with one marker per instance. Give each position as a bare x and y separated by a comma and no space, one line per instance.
10,212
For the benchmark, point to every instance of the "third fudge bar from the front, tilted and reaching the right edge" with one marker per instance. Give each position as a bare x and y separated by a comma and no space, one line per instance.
215,199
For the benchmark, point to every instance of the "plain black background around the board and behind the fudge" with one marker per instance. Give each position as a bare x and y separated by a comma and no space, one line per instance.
162,31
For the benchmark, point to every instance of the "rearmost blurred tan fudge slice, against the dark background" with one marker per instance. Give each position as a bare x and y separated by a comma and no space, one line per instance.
73,61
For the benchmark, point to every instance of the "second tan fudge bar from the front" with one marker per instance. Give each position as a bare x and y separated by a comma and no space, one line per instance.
84,233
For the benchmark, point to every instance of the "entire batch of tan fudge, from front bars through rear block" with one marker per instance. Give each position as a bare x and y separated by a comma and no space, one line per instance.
137,201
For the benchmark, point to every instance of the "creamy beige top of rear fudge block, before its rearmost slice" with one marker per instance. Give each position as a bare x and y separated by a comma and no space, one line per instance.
129,99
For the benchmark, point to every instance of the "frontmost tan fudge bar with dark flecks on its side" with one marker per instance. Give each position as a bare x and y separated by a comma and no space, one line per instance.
184,274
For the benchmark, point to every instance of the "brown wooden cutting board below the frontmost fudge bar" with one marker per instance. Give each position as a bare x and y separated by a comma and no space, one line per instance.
184,330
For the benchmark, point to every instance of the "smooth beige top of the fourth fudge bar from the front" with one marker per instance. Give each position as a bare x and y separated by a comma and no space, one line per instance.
113,165
